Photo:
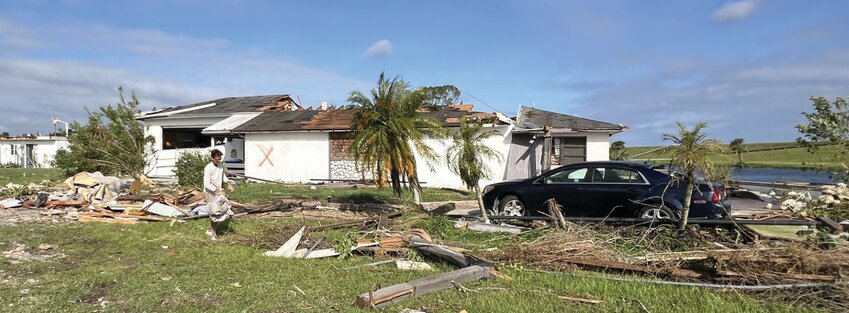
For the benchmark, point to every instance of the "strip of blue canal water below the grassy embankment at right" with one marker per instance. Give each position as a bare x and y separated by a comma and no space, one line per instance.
781,175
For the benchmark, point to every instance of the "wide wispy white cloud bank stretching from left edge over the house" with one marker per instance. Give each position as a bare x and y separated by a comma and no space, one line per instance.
163,69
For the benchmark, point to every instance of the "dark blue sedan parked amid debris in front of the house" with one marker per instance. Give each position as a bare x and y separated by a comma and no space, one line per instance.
599,189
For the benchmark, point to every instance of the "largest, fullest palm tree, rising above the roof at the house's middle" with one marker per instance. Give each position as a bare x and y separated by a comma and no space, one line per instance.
385,130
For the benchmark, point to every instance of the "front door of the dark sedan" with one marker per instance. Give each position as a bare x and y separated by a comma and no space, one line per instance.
566,186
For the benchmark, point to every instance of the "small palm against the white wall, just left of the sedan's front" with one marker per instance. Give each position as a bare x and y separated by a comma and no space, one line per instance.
467,156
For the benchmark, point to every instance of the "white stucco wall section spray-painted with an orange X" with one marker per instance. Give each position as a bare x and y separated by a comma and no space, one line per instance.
293,157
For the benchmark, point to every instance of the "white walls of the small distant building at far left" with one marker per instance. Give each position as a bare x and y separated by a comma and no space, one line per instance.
44,151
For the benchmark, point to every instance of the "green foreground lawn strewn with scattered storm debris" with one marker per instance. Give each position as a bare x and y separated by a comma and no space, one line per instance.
156,267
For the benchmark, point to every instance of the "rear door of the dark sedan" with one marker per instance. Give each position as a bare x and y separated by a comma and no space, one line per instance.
611,190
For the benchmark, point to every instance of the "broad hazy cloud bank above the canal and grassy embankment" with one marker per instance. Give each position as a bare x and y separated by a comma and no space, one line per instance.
758,101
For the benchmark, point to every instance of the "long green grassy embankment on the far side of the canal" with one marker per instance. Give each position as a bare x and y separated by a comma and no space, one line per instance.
791,157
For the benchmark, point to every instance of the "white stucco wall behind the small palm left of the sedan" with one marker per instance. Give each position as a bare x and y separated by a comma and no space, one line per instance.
441,176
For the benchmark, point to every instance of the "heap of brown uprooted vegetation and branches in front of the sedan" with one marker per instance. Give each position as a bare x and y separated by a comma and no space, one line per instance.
715,257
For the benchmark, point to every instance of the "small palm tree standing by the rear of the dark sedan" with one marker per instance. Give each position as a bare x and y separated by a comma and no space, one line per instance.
690,152
